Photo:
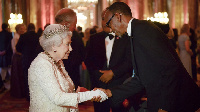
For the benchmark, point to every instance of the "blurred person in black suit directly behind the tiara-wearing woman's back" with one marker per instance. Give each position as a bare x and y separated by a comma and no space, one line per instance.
27,45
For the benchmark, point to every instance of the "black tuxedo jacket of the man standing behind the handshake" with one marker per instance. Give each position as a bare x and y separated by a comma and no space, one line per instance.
120,60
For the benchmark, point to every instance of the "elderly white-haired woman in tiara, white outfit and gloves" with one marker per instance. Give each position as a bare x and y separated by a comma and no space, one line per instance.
51,88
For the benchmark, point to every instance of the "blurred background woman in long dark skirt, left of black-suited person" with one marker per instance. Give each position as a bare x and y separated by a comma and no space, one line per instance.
17,77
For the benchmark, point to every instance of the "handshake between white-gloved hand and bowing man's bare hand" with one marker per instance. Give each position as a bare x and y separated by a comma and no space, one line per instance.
97,94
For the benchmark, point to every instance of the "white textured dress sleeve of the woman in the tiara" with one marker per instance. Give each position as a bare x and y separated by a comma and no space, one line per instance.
44,75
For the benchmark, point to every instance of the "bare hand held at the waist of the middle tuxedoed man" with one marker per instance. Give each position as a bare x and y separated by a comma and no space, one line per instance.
107,75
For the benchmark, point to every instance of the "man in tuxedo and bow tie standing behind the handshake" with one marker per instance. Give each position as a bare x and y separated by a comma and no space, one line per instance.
108,61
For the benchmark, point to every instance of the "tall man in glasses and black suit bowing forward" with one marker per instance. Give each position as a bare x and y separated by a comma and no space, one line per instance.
157,67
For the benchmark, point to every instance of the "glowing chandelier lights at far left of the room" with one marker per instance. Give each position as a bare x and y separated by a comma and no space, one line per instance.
14,20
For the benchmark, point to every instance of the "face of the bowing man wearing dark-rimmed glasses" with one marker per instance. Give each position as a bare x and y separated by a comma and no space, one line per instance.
115,23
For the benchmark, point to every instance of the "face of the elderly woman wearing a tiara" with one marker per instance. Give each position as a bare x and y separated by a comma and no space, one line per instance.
62,51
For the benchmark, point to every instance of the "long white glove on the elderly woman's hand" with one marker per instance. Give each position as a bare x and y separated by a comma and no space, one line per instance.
88,95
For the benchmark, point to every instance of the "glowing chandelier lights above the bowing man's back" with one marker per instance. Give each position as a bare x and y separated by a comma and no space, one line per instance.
161,17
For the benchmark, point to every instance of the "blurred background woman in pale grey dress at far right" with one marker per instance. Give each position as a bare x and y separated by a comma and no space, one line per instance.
184,48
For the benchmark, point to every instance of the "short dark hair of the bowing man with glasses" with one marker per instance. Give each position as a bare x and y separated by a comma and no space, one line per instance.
120,7
